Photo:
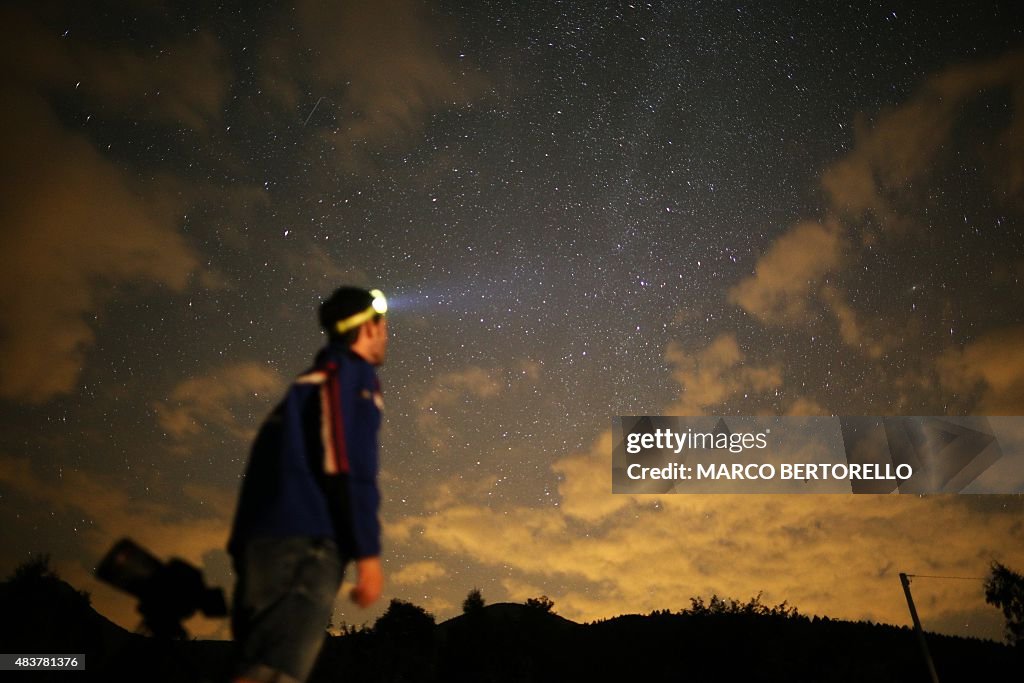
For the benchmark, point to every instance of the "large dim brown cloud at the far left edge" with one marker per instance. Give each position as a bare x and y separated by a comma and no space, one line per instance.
74,229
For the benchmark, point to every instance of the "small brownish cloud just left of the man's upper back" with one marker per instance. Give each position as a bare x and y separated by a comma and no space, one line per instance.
217,402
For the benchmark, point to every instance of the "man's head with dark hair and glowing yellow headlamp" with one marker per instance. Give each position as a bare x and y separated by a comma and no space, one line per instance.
356,318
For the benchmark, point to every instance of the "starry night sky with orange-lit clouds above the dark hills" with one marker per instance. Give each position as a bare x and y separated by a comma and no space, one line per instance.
578,211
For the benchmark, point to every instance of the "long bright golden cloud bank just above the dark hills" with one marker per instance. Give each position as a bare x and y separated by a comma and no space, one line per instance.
823,554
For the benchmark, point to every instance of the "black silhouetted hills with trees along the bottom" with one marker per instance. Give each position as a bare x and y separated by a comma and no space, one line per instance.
514,643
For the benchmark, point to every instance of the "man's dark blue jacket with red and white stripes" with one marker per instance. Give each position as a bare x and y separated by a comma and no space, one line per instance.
313,469
